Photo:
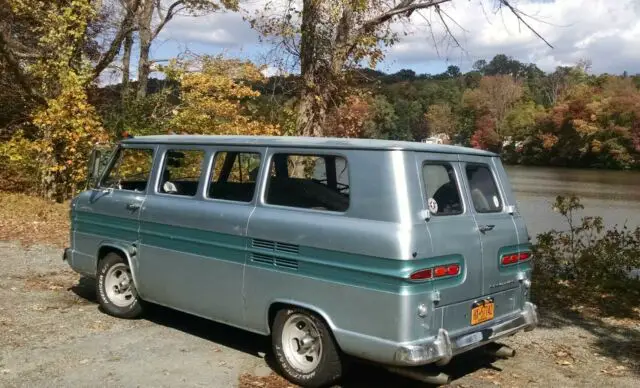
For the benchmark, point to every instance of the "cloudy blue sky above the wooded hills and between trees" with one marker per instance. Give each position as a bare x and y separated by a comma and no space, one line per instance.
607,32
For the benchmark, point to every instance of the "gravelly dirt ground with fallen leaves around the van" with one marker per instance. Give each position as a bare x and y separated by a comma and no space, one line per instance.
52,334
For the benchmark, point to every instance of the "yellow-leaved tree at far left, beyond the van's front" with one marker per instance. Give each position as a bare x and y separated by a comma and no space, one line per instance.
62,126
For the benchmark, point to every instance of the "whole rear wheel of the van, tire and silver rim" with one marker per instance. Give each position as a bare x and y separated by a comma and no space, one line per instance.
304,348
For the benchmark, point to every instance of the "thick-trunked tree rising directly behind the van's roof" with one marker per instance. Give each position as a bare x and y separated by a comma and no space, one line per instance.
328,37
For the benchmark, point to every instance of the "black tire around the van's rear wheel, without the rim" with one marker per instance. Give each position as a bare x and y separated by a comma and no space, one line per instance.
330,366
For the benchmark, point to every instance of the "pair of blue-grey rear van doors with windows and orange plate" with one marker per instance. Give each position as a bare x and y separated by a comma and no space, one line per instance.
470,203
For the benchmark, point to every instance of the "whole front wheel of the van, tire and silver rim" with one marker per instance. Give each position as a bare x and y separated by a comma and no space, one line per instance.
116,292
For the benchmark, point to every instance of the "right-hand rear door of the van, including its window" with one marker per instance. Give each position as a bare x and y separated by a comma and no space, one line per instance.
495,224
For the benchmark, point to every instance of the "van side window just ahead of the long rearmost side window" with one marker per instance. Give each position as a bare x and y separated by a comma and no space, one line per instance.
234,175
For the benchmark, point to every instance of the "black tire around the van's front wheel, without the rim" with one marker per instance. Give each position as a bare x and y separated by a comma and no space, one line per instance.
133,306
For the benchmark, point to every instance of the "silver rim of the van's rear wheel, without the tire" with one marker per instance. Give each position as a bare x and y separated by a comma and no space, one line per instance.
301,343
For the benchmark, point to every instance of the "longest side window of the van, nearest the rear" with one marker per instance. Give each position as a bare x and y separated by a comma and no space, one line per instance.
319,182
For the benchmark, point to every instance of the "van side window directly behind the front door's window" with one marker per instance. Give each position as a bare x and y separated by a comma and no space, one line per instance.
181,172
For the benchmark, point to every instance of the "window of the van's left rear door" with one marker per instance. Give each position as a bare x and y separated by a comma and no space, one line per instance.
442,189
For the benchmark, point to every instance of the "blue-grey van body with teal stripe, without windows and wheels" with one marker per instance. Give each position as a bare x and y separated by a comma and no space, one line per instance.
238,263
